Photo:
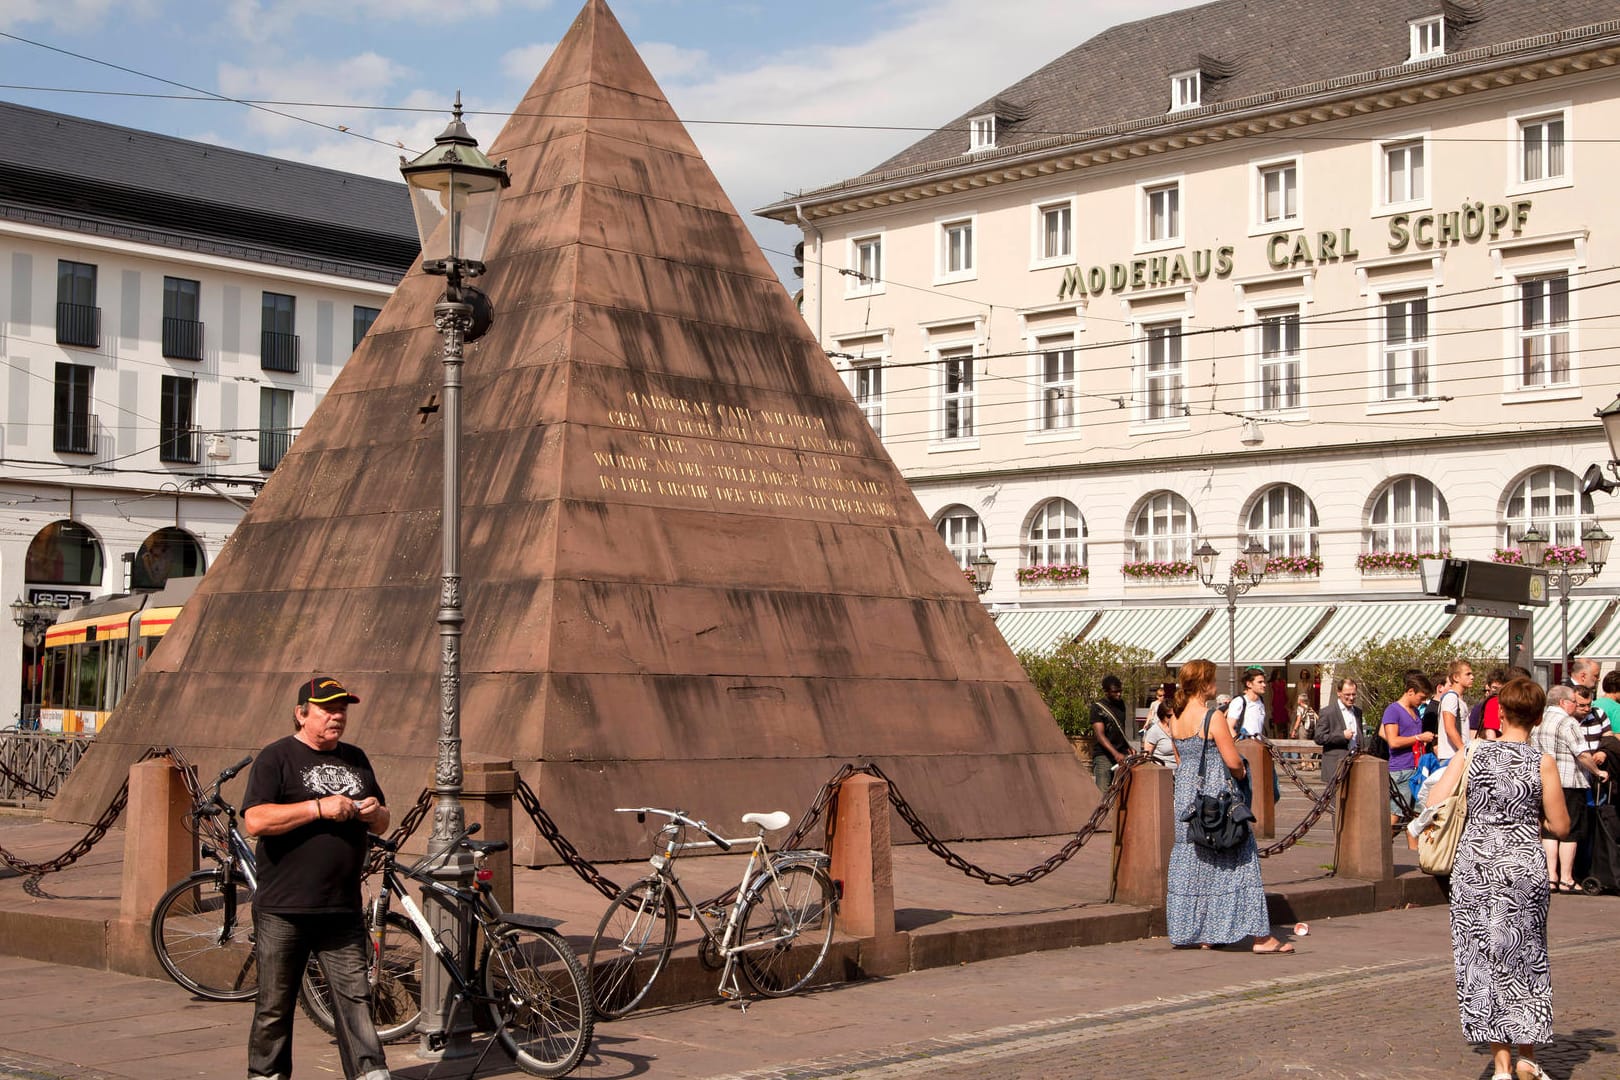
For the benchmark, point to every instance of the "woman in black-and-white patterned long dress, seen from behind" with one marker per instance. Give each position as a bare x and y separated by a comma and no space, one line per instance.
1499,887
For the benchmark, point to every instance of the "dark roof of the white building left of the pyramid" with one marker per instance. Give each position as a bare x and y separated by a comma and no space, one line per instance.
98,177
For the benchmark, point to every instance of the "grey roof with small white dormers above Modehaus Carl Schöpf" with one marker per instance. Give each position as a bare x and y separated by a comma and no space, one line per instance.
1255,46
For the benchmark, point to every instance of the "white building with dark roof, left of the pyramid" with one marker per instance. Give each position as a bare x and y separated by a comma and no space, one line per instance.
171,313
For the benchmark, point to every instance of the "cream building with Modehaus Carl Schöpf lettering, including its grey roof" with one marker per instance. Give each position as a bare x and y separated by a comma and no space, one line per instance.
1339,283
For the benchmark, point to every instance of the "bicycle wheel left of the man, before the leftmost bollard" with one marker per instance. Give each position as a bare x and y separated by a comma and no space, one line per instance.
203,937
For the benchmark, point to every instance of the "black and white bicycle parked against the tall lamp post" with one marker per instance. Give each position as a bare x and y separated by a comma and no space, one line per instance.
527,977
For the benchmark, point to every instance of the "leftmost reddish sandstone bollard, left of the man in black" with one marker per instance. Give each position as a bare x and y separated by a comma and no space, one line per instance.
158,848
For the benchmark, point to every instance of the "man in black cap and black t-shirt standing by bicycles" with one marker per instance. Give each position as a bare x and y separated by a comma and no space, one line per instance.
310,801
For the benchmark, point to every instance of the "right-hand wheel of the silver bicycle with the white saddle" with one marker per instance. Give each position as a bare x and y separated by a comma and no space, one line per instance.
785,929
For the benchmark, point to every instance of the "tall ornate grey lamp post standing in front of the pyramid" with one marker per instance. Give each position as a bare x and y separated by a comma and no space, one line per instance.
454,192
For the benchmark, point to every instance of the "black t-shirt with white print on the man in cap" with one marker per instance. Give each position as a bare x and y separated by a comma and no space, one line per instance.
313,869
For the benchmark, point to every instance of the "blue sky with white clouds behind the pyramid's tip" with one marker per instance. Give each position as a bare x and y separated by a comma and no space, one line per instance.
765,88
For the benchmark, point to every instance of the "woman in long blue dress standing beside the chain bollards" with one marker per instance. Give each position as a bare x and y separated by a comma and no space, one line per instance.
1213,898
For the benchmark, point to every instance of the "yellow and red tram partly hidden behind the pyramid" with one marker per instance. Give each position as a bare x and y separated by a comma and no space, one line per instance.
96,650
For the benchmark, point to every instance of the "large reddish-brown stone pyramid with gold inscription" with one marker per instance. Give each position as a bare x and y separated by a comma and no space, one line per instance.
693,574
